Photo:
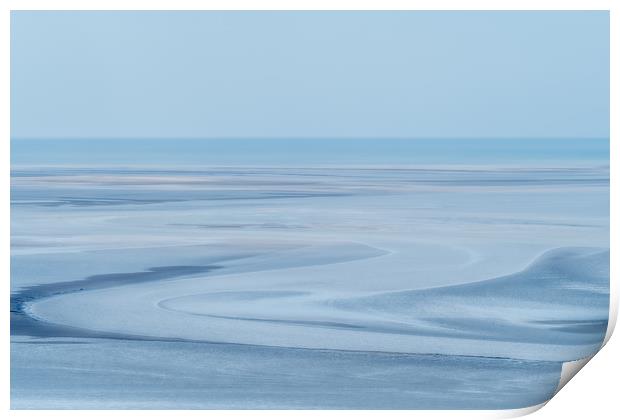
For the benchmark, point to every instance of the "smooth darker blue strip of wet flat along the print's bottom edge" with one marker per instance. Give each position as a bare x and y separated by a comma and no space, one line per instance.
163,375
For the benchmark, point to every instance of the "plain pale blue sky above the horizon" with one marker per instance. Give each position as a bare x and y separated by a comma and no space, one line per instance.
98,75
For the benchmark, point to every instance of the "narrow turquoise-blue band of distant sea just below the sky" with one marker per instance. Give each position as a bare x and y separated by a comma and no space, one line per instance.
311,152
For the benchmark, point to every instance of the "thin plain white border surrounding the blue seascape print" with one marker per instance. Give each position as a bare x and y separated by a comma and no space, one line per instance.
9,5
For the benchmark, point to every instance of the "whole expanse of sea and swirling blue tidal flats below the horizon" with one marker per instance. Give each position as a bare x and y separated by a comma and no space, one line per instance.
388,275
